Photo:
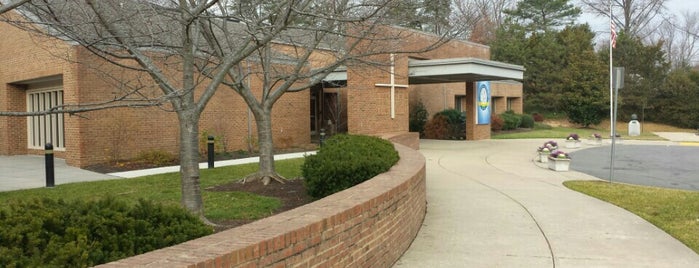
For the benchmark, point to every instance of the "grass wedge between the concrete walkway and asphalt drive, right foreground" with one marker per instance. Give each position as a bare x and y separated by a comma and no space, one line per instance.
674,211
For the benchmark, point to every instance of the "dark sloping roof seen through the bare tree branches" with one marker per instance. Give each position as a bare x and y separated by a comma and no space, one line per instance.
152,27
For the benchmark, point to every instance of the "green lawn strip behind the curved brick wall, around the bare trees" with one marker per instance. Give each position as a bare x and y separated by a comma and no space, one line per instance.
165,189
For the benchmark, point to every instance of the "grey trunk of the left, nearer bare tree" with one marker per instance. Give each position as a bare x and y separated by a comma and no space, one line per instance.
189,162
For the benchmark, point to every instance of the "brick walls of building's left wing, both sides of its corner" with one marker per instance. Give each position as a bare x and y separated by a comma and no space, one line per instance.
114,134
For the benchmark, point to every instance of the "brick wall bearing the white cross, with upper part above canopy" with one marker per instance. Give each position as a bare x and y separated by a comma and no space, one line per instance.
369,105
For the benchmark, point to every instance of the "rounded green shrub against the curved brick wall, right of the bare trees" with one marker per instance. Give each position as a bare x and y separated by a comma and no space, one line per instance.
345,161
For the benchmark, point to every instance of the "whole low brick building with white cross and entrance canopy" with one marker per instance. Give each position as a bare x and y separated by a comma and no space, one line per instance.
37,73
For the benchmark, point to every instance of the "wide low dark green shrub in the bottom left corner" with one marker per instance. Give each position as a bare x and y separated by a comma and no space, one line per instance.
46,232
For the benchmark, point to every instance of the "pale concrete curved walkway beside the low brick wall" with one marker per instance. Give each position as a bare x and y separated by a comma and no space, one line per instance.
491,205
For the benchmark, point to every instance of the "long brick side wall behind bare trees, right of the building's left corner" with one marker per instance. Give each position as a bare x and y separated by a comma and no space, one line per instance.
132,131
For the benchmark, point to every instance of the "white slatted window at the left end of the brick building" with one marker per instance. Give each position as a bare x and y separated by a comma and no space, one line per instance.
42,129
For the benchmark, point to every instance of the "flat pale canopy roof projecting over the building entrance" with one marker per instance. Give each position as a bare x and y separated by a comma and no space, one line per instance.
461,70
